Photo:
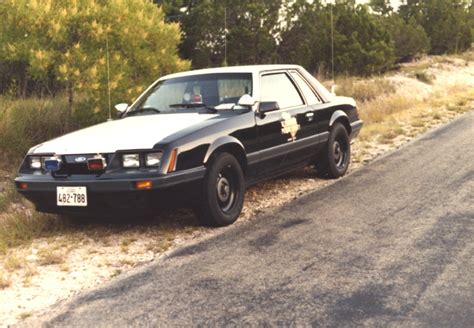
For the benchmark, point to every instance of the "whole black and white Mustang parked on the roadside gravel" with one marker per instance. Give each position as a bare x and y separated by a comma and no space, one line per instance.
202,136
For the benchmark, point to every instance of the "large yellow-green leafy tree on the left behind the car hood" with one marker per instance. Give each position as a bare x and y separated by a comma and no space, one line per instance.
67,40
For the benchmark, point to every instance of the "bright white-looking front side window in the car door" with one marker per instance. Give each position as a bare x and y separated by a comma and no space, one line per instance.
278,87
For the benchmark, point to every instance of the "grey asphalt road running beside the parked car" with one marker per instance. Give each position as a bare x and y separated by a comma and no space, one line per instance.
390,245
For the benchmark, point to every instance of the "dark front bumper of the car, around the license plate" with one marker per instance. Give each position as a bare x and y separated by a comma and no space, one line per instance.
113,193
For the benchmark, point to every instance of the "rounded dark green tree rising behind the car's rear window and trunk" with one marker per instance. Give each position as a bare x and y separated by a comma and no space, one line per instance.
362,45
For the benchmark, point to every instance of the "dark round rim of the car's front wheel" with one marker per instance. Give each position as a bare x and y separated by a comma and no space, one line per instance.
226,189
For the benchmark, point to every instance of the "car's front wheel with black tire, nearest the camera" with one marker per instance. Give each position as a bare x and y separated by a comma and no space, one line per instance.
222,195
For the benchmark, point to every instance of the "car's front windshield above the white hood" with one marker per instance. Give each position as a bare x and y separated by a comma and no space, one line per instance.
196,93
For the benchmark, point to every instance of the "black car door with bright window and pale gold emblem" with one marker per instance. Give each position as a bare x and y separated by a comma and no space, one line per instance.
279,131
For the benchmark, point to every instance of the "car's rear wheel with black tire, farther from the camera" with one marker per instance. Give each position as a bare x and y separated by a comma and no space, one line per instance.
334,159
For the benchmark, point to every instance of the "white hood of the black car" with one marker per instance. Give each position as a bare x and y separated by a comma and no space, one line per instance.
136,132
